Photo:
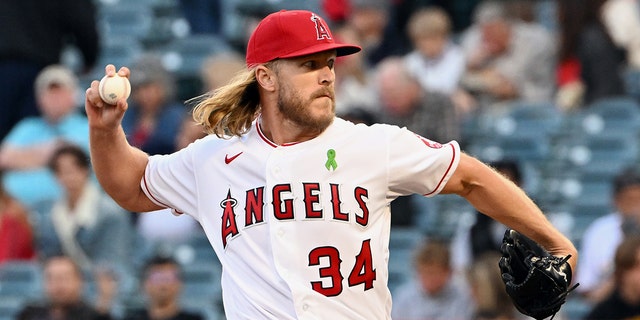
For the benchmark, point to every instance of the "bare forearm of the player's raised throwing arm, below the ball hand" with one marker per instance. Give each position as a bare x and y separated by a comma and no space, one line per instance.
119,168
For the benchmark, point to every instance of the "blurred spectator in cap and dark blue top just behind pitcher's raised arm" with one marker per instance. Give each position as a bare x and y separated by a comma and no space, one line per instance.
154,116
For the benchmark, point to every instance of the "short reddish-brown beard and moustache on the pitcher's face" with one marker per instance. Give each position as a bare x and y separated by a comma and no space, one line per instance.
297,109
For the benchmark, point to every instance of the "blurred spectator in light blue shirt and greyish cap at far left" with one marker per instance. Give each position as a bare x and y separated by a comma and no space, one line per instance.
25,151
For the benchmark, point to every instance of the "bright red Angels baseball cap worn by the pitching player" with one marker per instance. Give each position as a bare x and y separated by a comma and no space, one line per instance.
294,33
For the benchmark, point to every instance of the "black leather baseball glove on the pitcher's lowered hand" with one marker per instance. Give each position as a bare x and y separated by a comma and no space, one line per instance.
536,281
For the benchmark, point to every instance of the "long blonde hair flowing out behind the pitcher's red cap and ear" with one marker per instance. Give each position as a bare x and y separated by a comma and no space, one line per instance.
230,109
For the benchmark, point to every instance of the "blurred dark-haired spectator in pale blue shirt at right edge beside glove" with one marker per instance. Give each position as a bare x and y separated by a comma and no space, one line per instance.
604,234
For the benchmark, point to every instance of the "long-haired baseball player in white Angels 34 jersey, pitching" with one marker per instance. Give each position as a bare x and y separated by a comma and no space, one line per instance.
295,201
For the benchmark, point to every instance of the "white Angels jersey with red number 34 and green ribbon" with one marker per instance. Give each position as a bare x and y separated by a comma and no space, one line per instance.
302,229
